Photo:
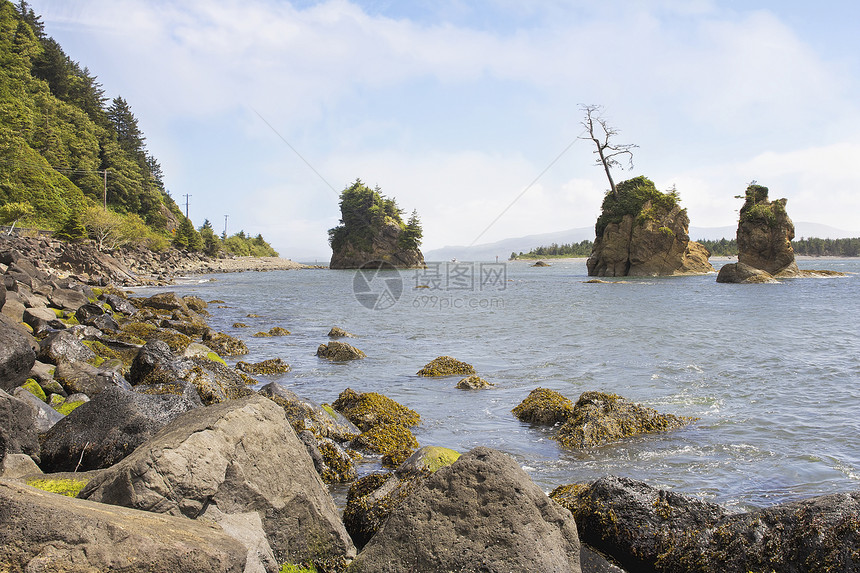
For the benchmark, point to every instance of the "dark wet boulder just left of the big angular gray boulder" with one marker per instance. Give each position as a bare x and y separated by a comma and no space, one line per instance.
106,429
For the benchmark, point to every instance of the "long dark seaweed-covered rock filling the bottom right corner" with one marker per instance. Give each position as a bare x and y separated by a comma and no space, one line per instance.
651,530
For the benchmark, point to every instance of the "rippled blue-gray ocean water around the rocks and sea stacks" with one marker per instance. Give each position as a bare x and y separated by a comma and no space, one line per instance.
771,371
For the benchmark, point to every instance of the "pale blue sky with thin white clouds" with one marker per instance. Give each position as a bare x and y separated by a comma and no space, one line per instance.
470,112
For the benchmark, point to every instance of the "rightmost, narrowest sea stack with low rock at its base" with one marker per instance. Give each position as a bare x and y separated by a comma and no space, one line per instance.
764,239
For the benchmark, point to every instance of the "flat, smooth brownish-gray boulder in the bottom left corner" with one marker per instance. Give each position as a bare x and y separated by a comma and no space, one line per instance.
42,531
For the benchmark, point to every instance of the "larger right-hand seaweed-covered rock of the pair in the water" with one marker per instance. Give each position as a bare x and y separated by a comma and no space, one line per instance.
599,418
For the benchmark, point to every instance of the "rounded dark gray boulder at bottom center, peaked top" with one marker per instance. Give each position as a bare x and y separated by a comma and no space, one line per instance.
482,513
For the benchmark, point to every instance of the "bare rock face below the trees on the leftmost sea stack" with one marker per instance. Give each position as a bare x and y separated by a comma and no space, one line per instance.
385,245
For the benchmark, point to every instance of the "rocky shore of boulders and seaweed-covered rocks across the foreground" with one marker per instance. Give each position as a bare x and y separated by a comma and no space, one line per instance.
127,443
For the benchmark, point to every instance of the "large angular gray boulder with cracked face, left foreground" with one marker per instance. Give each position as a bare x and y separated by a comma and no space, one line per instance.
241,456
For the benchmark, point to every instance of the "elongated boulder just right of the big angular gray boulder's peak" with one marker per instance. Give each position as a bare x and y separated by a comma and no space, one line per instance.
303,414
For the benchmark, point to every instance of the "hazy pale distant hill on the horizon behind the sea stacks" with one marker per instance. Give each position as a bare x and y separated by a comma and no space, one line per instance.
504,248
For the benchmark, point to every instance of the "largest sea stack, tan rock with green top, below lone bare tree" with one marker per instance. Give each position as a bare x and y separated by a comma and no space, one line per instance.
643,232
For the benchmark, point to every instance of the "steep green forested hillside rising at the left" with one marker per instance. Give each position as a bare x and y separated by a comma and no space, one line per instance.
59,134
